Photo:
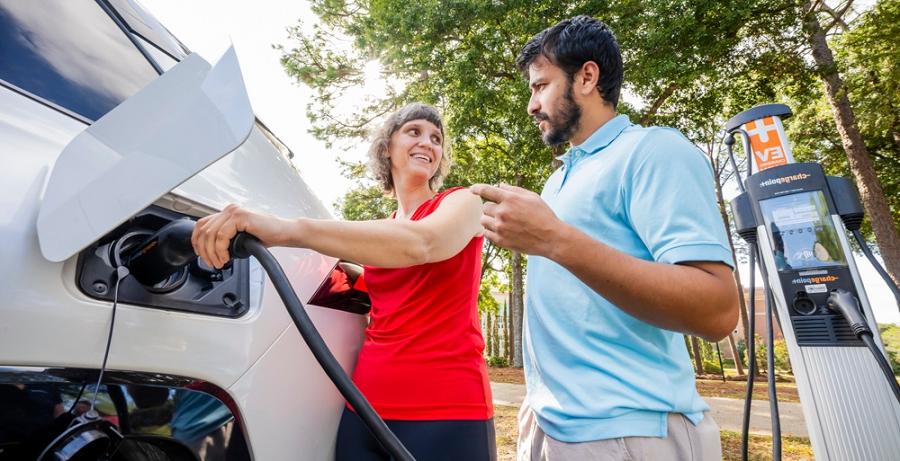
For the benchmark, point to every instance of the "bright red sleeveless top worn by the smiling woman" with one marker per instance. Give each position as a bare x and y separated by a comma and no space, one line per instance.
422,355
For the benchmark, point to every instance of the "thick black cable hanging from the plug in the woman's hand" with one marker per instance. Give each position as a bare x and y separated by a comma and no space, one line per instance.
245,245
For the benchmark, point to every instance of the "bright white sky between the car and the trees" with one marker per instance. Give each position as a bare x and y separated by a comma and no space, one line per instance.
209,27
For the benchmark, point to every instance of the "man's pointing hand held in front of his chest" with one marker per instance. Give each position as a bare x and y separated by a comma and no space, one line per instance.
517,219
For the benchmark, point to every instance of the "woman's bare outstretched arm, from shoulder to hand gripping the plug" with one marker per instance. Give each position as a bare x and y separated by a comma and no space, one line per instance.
382,243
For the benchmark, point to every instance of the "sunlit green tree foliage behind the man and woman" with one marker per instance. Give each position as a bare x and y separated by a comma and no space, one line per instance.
693,64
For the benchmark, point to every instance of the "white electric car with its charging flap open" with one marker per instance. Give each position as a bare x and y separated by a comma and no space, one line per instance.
109,130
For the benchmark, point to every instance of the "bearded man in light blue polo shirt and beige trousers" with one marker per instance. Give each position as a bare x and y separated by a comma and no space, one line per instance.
627,251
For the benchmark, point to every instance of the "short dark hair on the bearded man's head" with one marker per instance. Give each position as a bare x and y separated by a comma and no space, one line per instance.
573,42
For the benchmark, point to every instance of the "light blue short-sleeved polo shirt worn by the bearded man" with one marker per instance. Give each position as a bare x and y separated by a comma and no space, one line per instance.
593,371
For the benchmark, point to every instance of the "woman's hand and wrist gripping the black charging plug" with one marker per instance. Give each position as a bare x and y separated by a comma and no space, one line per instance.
212,235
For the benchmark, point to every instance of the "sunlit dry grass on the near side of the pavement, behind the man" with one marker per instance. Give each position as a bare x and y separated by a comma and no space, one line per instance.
793,448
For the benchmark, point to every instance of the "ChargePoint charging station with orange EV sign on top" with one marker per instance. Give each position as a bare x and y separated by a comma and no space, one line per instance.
796,219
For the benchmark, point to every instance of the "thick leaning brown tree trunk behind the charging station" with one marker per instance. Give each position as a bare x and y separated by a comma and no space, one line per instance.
858,158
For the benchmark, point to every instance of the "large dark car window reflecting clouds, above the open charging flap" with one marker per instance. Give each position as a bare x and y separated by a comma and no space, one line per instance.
70,53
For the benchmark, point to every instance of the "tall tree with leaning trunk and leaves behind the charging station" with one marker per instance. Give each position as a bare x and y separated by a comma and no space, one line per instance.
862,63
